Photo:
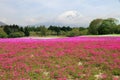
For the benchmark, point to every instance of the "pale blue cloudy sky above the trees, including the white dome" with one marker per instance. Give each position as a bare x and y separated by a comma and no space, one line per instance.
57,12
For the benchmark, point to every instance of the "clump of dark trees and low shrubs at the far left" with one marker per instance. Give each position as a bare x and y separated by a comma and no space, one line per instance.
13,31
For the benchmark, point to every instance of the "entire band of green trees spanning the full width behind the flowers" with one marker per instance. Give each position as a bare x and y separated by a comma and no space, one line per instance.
96,27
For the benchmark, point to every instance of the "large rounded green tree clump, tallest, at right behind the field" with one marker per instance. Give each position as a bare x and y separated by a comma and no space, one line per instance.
103,26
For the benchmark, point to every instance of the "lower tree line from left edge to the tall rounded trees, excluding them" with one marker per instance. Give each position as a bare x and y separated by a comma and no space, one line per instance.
17,31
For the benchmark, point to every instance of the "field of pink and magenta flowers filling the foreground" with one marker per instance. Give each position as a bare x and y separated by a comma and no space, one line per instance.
76,58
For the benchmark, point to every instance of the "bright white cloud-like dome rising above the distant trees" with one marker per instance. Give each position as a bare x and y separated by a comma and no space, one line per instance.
73,17
